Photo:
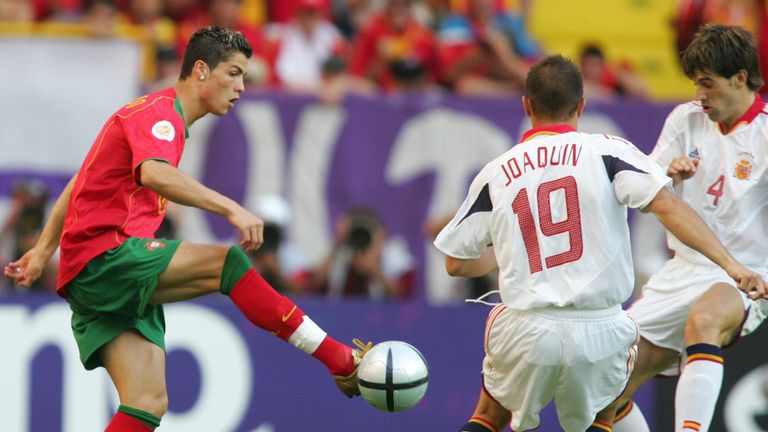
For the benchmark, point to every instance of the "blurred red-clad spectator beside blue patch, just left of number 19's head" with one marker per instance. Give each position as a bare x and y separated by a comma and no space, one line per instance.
477,52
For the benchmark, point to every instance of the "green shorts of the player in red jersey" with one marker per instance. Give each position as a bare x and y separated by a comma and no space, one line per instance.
111,295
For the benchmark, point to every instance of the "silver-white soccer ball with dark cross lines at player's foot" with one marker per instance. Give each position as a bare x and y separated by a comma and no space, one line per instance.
393,376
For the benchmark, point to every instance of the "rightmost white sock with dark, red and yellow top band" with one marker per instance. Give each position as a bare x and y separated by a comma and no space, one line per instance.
698,388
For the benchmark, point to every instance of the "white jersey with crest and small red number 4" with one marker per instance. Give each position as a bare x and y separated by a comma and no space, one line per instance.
730,188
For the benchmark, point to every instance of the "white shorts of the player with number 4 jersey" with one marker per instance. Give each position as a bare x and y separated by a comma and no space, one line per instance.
667,297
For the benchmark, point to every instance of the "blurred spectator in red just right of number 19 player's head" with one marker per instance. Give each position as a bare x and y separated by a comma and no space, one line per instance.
603,81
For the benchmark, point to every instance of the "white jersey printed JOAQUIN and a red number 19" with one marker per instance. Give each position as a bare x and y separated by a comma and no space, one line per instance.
555,209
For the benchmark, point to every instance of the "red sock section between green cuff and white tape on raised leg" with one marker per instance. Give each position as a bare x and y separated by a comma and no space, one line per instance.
265,307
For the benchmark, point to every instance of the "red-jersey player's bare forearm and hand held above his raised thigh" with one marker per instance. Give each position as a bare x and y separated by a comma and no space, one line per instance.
181,188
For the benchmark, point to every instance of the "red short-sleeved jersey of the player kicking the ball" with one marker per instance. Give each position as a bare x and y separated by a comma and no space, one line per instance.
108,204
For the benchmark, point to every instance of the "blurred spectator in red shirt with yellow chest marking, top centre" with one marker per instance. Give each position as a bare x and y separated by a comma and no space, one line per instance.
390,39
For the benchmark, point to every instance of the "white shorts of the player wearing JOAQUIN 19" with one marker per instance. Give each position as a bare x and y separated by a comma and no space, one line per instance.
580,358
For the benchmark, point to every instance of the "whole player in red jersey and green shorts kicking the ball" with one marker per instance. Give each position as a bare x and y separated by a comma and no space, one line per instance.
116,276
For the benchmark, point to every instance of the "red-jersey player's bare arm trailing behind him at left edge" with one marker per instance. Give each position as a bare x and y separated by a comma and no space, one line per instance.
27,269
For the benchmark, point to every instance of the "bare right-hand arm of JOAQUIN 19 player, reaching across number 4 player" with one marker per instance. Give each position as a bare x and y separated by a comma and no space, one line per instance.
683,222
